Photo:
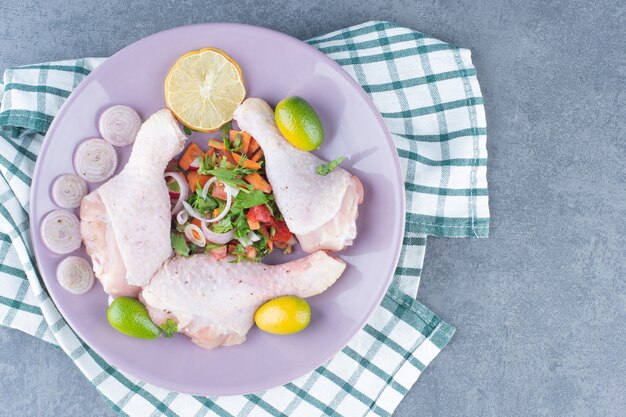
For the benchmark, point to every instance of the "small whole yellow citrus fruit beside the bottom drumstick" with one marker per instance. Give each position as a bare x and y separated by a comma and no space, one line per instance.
283,315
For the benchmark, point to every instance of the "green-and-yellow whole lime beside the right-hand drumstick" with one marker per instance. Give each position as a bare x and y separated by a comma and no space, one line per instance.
299,124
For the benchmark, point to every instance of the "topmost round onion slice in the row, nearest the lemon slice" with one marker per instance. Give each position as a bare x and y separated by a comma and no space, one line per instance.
119,125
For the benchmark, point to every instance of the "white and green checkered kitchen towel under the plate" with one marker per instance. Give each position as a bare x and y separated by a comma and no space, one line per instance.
429,96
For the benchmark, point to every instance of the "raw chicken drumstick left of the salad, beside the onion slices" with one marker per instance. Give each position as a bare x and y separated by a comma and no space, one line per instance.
125,223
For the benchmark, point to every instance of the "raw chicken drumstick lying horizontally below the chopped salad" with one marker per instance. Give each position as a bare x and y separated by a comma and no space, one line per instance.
214,301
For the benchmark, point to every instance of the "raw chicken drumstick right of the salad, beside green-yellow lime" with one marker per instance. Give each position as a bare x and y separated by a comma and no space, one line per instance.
320,210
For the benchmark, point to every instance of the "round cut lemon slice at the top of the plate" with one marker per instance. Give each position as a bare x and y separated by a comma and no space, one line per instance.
204,88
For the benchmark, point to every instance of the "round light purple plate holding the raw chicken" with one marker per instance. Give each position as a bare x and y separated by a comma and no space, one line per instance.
274,66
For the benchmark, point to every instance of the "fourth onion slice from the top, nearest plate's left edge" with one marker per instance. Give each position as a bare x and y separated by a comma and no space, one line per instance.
60,232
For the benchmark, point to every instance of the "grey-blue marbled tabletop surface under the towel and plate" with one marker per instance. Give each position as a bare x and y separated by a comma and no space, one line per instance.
540,306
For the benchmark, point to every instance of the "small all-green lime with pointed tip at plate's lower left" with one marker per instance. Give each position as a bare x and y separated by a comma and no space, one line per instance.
129,316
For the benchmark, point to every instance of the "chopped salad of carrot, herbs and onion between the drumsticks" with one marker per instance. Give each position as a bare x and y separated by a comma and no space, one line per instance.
227,203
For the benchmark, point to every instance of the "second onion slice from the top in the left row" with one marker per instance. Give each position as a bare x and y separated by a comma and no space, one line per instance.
95,160
